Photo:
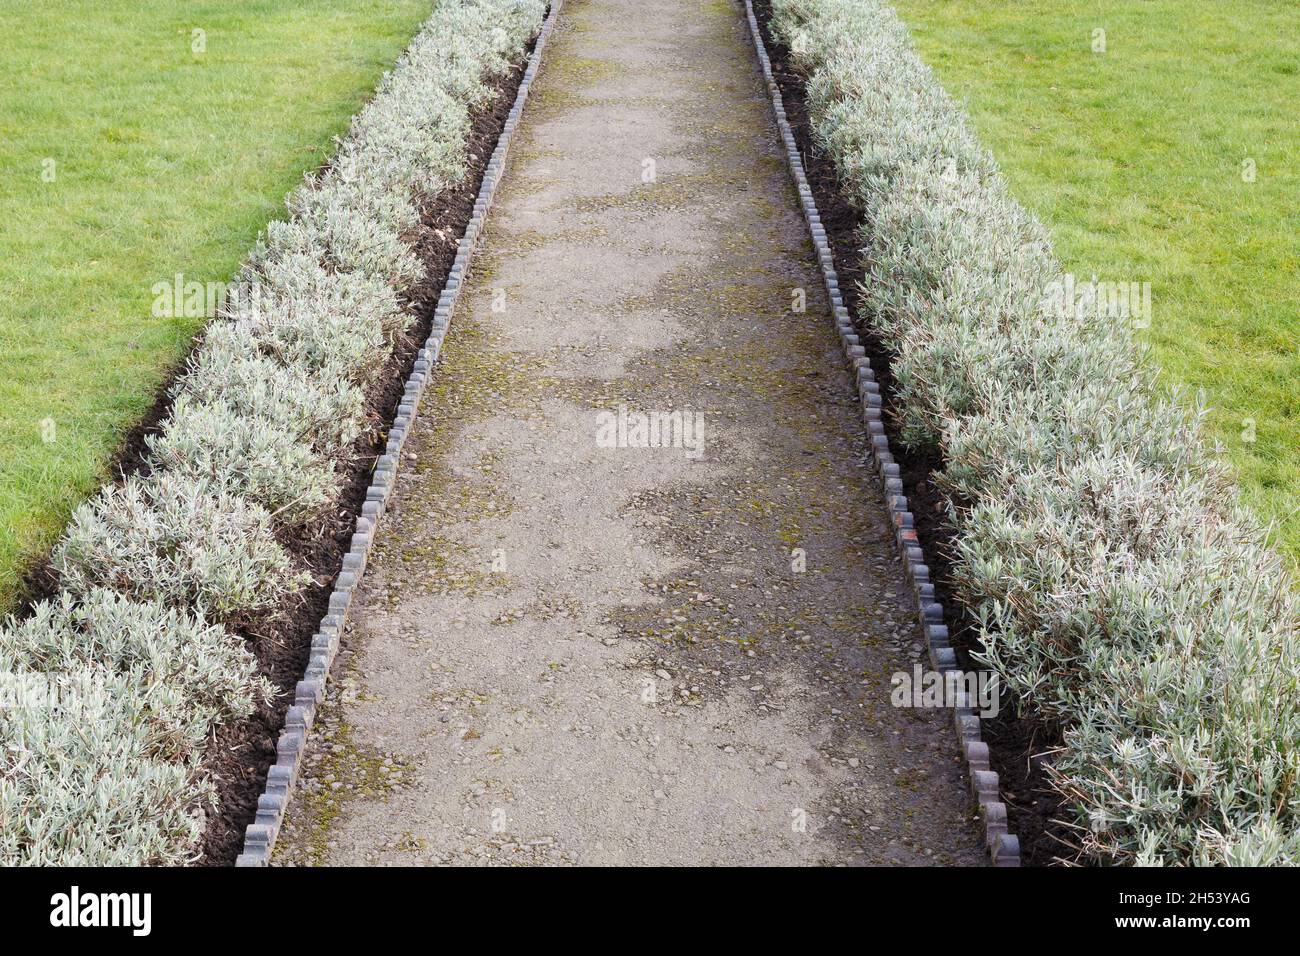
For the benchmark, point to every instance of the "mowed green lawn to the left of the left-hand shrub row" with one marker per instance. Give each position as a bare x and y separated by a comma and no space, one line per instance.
128,155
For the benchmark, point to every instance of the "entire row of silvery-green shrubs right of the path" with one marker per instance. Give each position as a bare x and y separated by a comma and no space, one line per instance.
1119,589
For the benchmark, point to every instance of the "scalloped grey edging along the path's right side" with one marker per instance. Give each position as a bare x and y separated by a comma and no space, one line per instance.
1004,847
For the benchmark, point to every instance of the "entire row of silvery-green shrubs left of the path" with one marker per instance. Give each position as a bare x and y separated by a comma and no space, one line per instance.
114,689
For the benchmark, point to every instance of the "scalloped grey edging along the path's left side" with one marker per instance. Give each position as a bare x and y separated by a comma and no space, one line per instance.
262,834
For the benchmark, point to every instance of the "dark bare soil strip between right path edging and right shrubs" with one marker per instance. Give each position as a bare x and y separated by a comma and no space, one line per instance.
1017,743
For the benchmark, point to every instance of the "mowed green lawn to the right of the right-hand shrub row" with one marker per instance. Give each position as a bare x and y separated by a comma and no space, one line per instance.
1137,159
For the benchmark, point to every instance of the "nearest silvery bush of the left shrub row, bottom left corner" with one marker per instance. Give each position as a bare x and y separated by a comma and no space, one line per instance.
107,706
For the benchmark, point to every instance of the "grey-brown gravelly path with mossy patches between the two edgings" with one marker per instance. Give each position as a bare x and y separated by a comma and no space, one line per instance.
570,654
